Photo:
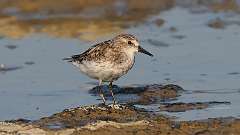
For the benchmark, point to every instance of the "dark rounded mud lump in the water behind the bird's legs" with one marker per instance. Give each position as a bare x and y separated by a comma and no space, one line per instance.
146,95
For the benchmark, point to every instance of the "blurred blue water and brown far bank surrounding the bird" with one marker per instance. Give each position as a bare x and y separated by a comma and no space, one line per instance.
195,44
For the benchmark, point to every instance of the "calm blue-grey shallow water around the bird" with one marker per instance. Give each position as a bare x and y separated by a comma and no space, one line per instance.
203,61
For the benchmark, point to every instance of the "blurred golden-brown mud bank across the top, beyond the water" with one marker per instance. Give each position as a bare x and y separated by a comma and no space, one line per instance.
88,20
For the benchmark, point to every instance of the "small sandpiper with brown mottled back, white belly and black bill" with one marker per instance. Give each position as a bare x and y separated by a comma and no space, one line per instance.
108,60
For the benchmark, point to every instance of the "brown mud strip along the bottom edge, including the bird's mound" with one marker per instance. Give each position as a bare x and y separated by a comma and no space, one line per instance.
121,119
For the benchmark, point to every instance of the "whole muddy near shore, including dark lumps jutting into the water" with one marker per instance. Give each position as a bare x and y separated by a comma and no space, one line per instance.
127,118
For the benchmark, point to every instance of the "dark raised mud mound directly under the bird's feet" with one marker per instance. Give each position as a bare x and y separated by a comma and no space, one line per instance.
82,116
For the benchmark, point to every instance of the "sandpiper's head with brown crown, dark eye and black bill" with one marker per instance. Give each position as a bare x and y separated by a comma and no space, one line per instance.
130,43
